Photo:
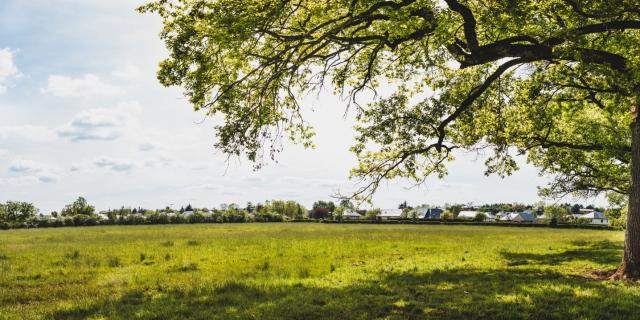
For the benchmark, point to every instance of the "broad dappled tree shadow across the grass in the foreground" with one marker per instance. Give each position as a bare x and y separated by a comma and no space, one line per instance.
445,294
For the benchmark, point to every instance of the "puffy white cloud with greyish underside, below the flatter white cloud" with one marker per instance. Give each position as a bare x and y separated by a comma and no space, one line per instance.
102,123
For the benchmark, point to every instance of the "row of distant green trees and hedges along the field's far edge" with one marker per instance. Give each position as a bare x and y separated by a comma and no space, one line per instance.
16,214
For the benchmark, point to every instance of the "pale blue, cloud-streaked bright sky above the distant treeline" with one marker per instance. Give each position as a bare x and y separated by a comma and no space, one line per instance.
82,114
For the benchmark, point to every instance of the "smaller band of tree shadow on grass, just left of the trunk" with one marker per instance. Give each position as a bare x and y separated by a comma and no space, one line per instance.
600,252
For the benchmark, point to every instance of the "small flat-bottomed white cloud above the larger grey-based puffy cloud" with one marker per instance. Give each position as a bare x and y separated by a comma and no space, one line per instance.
85,86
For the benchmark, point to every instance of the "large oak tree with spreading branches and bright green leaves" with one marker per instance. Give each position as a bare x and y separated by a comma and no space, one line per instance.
556,80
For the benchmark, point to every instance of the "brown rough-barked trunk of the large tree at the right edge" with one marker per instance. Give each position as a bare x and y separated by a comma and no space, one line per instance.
630,267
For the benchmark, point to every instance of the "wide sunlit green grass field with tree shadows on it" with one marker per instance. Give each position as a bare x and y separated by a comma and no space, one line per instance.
311,271
